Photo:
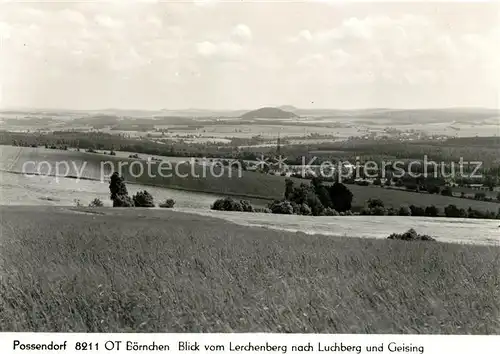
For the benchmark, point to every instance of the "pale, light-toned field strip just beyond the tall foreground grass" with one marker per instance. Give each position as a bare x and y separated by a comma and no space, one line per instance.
39,191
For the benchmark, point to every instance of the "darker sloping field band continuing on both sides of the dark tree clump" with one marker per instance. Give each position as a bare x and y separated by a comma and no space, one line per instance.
248,185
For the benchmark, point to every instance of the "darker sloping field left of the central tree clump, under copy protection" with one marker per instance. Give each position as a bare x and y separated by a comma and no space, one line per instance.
177,176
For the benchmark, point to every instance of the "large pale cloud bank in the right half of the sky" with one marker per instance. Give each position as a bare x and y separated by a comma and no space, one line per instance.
405,49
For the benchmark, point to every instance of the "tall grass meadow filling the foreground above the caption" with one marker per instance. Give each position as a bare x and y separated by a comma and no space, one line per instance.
160,271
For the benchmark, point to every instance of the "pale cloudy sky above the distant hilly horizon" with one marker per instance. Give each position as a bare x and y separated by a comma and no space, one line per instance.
243,55
